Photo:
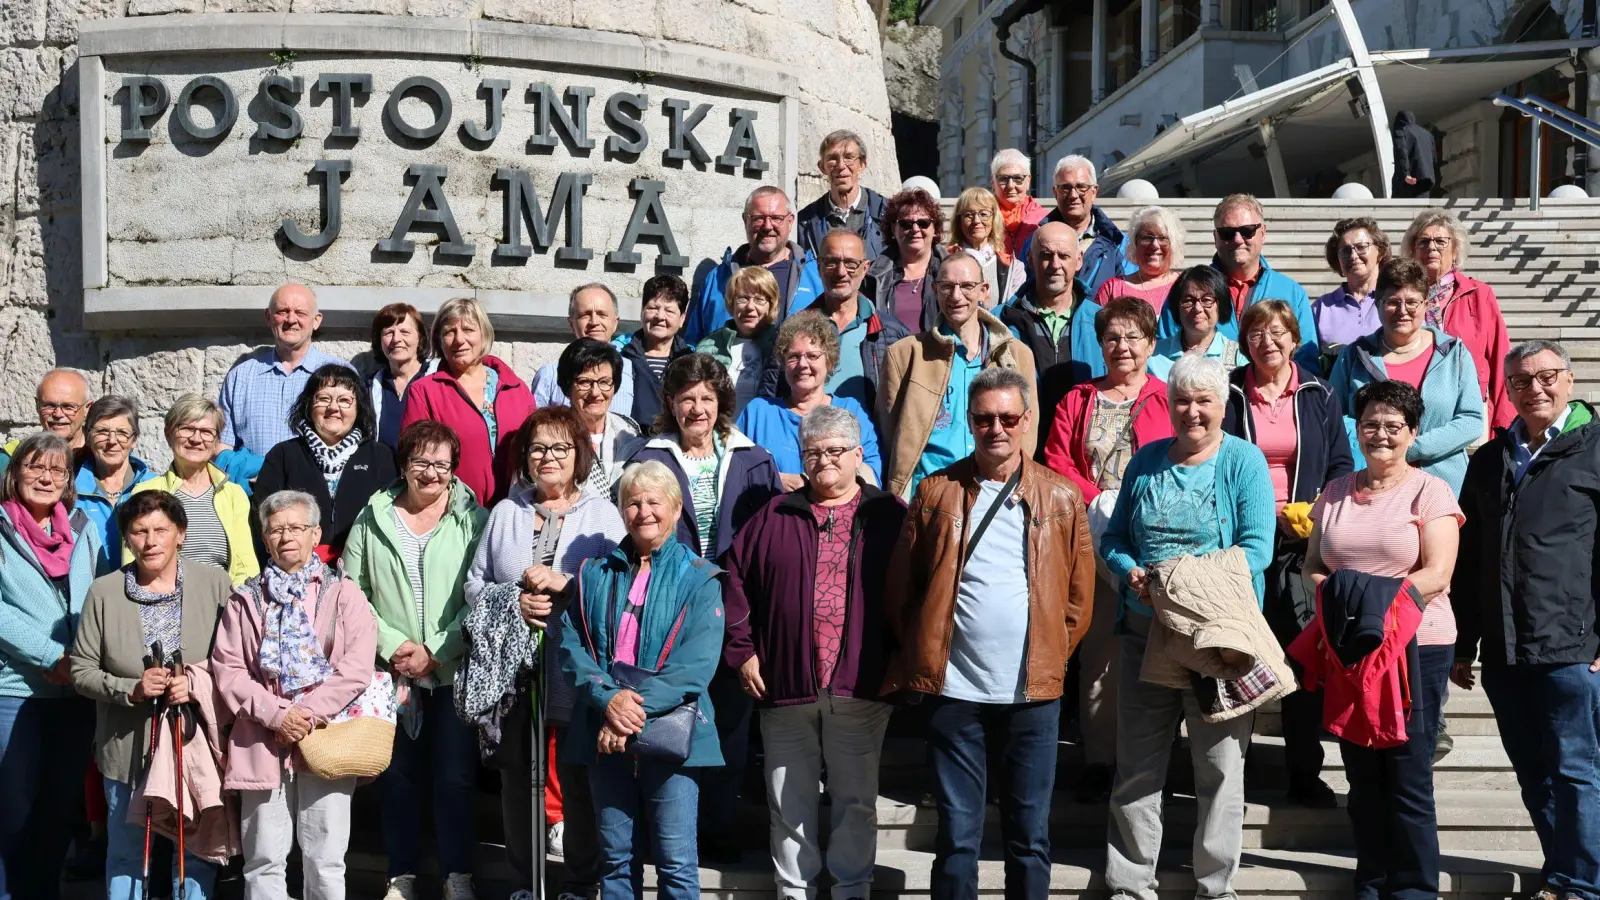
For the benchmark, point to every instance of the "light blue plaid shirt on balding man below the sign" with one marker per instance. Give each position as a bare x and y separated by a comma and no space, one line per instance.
258,396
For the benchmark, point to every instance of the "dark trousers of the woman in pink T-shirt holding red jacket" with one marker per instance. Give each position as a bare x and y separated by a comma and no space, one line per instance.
1391,802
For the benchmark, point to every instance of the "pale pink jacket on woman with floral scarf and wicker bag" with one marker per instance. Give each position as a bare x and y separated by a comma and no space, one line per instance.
255,761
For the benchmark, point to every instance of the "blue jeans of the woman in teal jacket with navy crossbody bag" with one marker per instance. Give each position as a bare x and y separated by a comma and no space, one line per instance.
646,805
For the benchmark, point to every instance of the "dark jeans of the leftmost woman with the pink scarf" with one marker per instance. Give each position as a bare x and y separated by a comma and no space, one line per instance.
44,753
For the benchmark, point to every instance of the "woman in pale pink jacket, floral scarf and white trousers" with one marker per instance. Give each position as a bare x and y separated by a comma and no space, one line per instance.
295,648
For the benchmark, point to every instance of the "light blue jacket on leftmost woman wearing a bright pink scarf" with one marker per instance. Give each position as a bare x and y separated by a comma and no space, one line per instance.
39,617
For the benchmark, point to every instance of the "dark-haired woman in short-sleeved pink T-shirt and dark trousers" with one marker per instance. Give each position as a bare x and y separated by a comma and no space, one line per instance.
1396,521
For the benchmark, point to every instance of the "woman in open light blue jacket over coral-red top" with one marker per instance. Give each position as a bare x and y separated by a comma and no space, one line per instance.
1425,358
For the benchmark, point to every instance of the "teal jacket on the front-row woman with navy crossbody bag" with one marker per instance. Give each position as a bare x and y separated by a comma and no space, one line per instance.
679,584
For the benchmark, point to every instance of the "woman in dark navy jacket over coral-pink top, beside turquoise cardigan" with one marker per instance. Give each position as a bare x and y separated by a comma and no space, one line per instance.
1297,424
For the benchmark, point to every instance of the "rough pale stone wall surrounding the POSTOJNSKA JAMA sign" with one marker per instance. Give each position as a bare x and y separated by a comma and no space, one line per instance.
831,47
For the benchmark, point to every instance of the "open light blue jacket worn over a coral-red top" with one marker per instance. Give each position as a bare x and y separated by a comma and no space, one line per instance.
1452,403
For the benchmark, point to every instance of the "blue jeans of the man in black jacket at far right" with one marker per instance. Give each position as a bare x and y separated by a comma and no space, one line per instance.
1550,721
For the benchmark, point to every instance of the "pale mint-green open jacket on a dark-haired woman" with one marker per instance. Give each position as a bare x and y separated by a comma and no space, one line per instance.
372,560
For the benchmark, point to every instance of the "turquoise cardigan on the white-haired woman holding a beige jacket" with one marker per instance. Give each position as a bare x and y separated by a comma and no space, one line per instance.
1244,499
